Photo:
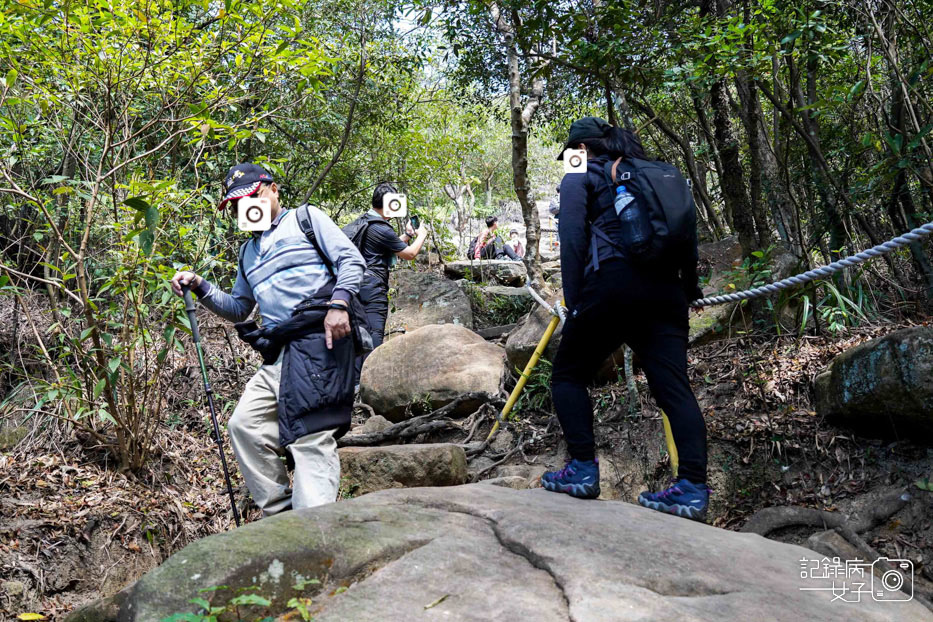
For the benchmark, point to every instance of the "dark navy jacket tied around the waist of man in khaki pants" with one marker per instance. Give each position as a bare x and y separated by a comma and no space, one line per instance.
316,387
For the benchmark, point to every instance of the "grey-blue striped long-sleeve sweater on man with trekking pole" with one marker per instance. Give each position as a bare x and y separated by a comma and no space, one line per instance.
281,268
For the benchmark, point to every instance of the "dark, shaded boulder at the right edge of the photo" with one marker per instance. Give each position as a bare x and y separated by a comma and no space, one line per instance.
883,386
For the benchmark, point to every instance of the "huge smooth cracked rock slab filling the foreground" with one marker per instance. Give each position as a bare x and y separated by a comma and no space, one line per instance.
490,553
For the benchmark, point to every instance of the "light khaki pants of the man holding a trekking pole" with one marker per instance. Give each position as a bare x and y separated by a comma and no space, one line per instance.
254,433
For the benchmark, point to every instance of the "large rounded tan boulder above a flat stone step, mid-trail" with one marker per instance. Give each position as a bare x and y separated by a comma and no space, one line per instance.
430,367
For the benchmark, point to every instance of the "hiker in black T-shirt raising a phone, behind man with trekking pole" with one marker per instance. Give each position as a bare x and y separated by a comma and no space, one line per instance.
380,245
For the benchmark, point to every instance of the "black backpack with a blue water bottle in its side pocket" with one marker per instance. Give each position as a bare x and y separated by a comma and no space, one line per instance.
664,198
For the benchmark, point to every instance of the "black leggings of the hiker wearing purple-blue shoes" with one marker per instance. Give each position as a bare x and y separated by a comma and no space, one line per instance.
621,306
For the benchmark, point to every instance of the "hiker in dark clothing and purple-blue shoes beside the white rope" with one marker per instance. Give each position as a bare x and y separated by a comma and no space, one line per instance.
628,264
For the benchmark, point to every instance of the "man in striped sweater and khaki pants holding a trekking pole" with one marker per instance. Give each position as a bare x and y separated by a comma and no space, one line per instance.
304,274
